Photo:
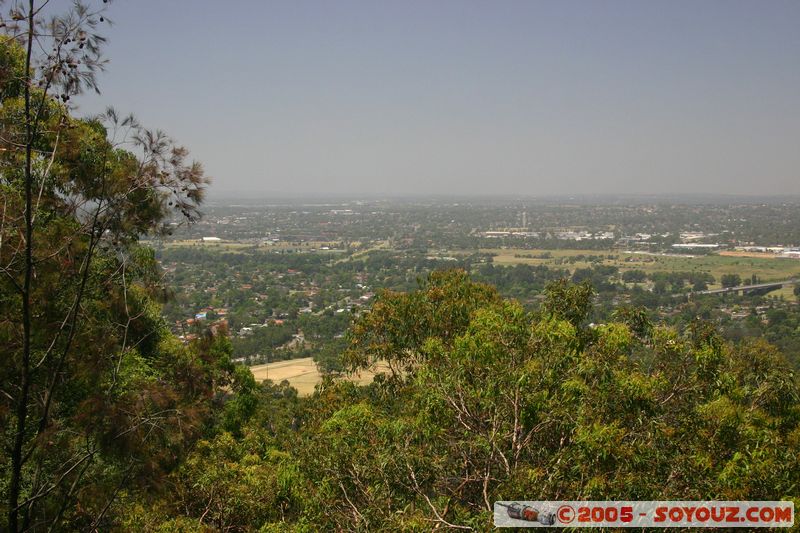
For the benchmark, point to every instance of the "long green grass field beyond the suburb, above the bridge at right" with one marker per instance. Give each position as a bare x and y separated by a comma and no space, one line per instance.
766,268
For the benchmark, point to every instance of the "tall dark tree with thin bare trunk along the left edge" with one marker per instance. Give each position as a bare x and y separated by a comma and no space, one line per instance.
76,291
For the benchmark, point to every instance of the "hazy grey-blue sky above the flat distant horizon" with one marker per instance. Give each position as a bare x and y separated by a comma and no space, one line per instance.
494,97
